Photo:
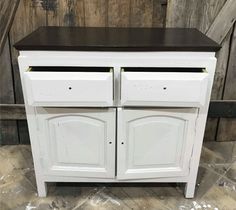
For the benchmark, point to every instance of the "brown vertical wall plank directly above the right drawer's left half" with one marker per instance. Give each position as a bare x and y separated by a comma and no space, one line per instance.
141,13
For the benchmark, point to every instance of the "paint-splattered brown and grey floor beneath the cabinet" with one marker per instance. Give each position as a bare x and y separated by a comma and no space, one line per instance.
216,186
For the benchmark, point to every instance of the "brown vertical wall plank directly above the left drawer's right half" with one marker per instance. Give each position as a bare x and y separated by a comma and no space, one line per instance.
95,12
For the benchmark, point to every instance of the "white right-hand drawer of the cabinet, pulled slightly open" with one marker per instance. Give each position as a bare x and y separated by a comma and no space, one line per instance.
184,87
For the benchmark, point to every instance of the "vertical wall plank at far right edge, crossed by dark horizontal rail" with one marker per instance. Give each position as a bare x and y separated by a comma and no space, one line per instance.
226,129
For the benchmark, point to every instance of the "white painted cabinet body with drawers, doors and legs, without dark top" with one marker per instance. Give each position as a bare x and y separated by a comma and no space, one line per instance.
113,125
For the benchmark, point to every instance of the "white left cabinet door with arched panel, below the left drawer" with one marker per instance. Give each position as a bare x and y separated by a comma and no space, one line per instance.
77,142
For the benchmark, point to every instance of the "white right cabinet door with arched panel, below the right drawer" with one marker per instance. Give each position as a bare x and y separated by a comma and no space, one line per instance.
155,143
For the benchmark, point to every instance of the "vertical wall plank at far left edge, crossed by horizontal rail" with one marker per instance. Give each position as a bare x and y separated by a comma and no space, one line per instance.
8,129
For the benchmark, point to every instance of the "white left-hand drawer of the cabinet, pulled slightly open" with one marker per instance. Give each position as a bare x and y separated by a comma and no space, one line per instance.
69,87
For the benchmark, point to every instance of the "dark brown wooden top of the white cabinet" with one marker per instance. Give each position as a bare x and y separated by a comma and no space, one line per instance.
117,39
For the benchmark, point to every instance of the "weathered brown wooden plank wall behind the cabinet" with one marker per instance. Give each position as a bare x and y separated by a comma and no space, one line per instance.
201,14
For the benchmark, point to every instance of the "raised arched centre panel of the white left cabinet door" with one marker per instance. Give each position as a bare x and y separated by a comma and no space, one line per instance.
79,140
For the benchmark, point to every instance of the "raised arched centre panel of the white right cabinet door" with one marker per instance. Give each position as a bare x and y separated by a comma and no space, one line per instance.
149,135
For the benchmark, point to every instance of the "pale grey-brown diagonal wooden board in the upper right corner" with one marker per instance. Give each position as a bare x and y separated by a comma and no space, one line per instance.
223,22
